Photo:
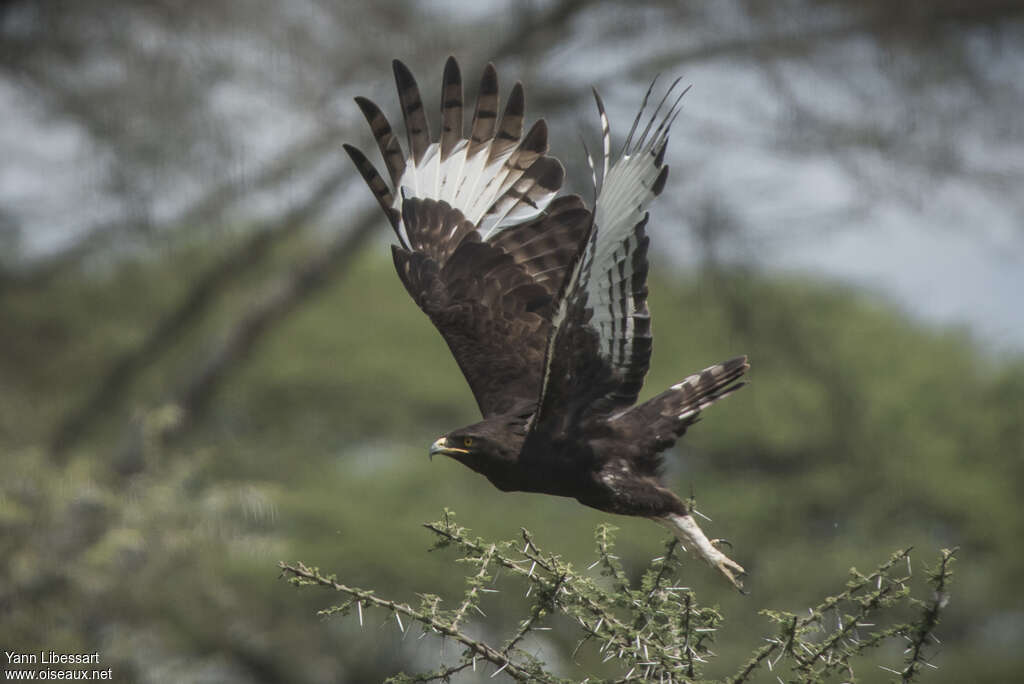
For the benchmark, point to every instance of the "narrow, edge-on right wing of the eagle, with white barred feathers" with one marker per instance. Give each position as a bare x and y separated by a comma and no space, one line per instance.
600,350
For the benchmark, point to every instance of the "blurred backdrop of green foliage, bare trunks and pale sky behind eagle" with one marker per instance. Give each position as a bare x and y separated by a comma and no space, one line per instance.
207,364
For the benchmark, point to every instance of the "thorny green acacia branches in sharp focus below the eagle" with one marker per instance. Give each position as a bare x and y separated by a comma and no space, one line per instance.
664,638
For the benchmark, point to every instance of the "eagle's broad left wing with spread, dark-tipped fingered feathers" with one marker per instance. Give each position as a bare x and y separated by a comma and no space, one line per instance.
483,248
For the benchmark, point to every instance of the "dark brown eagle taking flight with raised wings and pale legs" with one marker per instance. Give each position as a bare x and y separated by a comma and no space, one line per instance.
543,301
